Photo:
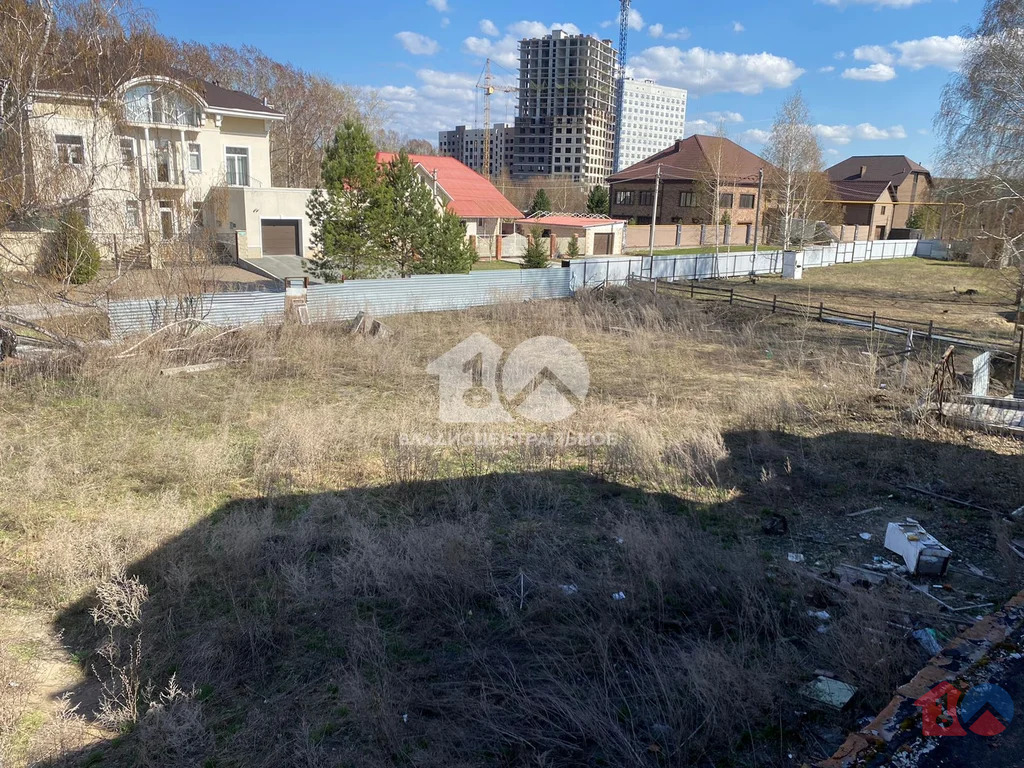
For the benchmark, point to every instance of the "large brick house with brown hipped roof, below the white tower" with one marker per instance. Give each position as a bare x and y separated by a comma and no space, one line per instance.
688,167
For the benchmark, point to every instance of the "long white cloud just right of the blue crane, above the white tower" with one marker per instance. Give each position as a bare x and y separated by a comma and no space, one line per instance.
711,72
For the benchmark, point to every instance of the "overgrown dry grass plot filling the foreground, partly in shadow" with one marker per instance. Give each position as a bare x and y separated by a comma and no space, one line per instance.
249,567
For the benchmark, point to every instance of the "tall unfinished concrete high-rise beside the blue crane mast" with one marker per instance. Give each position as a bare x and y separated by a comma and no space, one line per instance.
566,124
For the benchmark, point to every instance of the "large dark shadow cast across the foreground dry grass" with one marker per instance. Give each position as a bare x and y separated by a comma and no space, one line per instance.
539,619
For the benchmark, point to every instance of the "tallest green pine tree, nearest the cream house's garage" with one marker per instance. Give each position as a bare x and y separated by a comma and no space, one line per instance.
344,233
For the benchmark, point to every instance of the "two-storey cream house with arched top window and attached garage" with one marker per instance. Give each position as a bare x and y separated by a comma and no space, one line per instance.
169,157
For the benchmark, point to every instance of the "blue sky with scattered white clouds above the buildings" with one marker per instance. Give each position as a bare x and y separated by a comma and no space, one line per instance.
872,71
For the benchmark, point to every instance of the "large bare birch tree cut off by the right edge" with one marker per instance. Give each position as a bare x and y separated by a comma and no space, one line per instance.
982,121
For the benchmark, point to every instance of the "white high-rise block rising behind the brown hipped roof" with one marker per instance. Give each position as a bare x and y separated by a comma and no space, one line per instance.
654,118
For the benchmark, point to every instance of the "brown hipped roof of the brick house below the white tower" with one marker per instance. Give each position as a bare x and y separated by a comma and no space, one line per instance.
693,159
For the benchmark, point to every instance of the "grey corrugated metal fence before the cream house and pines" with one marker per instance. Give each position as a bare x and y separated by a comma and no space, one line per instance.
381,297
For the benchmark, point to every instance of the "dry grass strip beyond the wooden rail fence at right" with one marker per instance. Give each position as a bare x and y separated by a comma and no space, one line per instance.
919,290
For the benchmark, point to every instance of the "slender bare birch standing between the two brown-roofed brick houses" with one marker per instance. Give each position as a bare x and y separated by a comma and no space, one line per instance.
795,178
